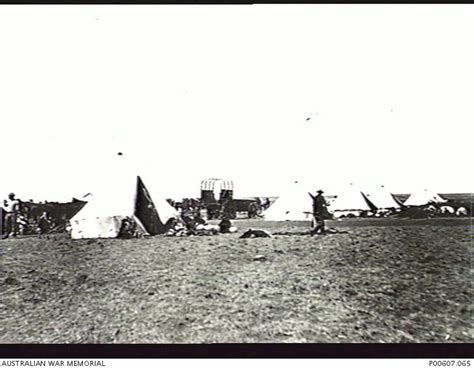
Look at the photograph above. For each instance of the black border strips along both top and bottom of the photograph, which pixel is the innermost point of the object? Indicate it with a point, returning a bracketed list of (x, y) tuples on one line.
[(196, 351)]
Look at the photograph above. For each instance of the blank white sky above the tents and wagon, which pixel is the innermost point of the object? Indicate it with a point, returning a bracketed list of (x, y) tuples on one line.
[(191, 92)]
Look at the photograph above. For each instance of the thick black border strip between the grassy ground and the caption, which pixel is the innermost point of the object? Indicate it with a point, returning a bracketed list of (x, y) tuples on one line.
[(198, 351)]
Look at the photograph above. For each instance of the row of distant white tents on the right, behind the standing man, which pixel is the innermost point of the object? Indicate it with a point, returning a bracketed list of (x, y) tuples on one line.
[(296, 203)]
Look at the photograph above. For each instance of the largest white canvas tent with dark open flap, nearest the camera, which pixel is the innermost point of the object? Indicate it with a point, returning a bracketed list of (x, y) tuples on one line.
[(122, 197)]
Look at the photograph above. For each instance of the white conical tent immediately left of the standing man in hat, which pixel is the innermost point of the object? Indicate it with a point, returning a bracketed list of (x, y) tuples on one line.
[(294, 204)]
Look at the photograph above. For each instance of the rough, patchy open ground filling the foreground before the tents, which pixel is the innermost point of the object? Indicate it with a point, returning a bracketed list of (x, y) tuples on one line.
[(380, 280)]
